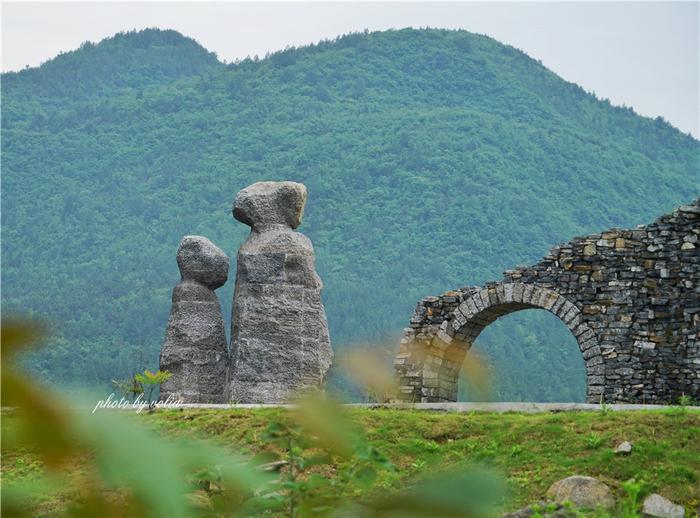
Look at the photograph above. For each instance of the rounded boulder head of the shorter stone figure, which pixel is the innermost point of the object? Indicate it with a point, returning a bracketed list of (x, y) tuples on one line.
[(202, 261)]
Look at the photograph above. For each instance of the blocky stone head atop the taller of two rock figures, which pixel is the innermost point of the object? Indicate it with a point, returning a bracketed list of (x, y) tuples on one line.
[(270, 203)]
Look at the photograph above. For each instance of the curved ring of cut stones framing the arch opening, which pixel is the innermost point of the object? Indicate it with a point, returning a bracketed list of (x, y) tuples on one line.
[(457, 334)]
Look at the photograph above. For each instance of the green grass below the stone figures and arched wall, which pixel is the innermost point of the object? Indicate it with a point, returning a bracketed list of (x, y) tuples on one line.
[(530, 450)]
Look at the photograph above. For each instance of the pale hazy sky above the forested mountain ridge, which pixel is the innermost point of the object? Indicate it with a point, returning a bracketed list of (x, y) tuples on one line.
[(644, 55)]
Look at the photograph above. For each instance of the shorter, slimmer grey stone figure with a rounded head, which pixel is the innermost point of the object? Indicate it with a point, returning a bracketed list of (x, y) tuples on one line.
[(195, 349)]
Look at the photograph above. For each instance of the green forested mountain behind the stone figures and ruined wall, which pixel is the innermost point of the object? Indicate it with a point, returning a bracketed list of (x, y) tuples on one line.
[(434, 159)]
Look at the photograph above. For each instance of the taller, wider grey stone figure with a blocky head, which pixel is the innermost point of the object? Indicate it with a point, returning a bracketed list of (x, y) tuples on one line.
[(279, 336)]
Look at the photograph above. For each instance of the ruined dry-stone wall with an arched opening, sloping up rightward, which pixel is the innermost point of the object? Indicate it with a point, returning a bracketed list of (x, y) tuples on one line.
[(631, 298)]
